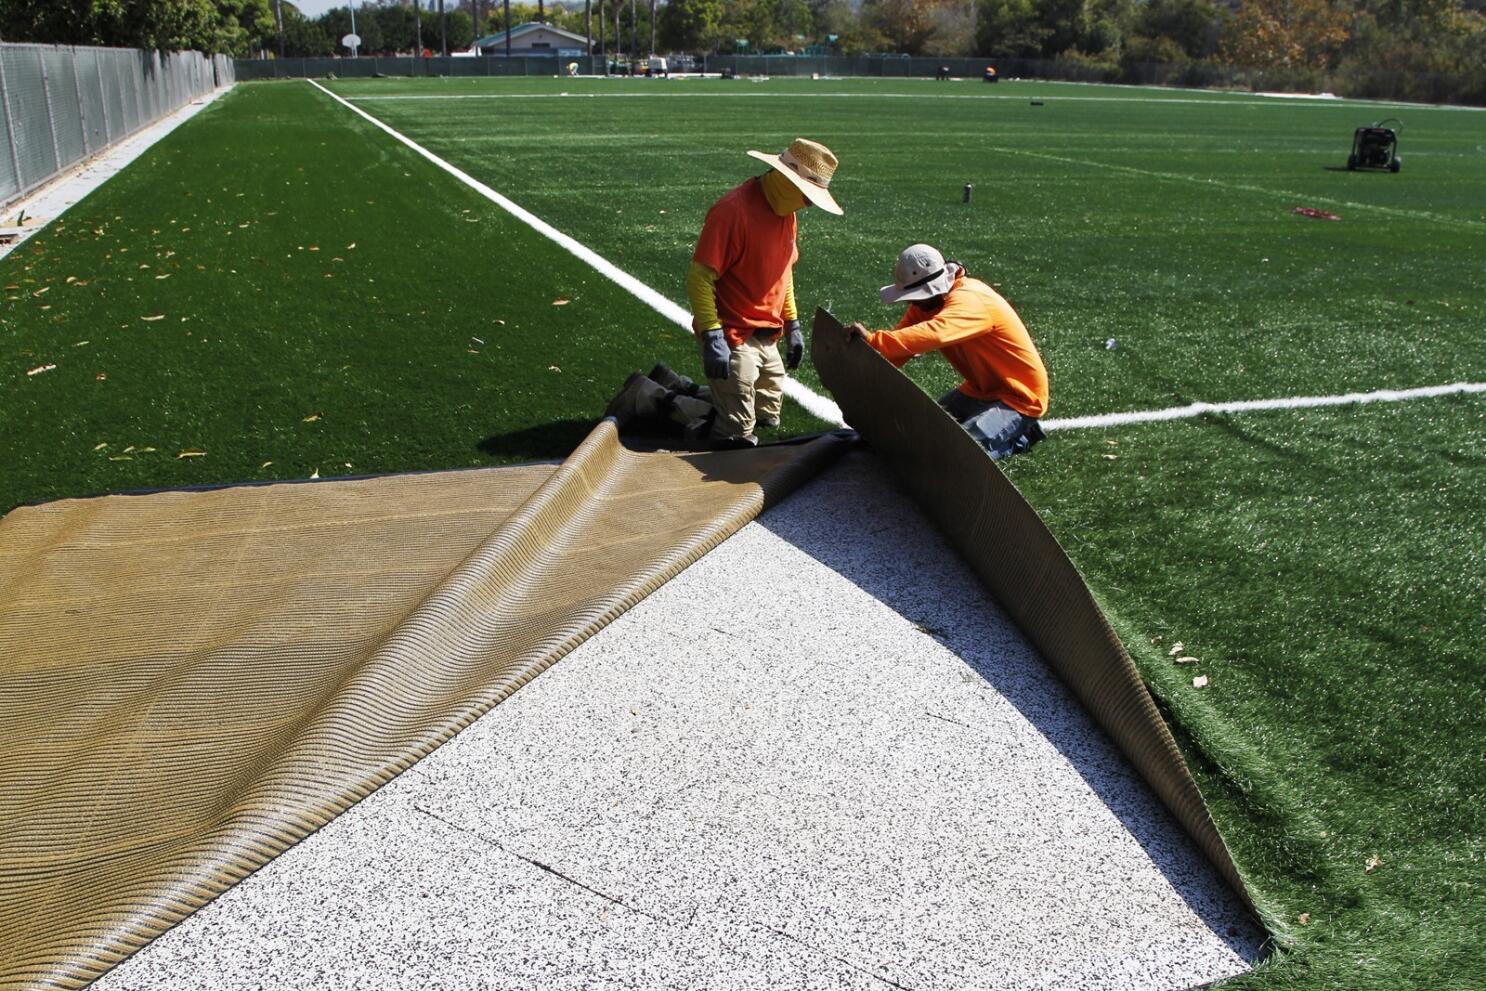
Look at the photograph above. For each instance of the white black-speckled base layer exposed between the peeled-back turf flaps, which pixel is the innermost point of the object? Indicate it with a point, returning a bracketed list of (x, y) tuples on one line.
[(820, 758)]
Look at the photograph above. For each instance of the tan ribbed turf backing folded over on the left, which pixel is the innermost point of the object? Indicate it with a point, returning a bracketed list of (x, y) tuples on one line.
[(194, 681)]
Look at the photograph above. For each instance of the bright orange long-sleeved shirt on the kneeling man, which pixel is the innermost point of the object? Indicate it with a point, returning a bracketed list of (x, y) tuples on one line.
[(983, 338)]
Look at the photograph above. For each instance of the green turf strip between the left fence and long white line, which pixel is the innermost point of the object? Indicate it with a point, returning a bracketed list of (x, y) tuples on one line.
[(286, 290)]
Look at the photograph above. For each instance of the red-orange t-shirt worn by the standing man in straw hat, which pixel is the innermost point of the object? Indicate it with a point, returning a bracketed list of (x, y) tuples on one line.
[(753, 250)]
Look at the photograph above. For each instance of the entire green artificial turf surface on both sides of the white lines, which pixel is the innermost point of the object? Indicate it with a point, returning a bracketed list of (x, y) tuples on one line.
[(1323, 565)]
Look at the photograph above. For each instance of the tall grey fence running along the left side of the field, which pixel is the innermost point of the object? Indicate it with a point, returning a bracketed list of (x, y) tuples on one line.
[(63, 105)]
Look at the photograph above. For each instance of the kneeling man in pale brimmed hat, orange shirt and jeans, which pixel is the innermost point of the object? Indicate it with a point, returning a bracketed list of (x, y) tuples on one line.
[(1005, 389)]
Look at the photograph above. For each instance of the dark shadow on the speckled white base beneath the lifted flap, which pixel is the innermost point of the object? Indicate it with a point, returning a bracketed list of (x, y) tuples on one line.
[(870, 553)]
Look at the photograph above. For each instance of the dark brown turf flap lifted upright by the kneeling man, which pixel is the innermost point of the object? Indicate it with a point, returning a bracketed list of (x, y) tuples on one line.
[(1020, 562)]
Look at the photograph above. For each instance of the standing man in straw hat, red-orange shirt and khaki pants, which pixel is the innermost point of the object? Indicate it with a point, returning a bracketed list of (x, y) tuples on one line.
[(742, 289)]
